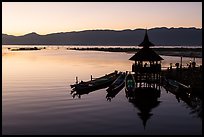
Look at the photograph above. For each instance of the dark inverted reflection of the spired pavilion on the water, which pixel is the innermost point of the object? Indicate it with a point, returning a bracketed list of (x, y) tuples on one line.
[(144, 99)]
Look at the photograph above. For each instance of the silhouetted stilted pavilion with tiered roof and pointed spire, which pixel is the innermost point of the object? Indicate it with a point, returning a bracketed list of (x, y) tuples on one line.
[(147, 66)]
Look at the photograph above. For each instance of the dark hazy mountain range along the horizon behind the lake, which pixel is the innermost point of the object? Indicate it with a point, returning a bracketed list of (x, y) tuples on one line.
[(158, 36)]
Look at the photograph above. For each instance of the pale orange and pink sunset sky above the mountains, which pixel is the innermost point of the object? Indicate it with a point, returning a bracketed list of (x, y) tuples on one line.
[(19, 18)]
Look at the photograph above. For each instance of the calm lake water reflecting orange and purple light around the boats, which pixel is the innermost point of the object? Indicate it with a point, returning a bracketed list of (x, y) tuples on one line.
[(36, 97)]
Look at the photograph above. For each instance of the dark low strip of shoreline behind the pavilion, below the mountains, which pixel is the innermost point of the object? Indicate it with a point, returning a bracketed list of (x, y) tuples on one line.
[(184, 52)]
